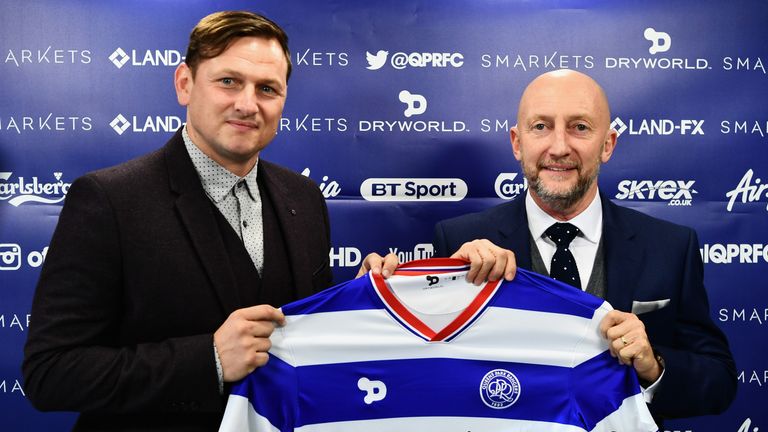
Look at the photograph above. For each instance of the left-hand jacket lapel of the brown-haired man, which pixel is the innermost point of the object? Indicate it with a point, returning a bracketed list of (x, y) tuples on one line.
[(197, 217)]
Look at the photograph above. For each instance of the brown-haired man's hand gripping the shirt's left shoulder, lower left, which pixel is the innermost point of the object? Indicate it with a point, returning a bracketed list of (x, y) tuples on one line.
[(243, 340)]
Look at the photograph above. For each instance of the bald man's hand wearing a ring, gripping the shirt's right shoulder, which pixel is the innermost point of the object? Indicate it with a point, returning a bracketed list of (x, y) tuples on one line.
[(629, 342)]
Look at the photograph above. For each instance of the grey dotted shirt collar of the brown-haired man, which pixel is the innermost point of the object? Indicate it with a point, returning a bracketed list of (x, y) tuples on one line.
[(217, 181)]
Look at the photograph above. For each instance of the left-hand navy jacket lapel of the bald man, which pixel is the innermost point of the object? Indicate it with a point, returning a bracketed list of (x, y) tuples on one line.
[(513, 232)]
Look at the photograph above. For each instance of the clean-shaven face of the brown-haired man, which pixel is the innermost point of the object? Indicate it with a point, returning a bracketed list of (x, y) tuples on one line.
[(235, 100)]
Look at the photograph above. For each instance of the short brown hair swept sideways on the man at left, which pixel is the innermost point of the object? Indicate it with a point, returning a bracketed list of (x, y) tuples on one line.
[(214, 33)]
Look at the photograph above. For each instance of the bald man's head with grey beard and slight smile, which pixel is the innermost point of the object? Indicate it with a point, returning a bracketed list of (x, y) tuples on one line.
[(562, 136)]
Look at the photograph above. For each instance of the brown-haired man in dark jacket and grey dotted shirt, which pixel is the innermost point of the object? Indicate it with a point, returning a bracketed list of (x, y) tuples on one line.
[(163, 274)]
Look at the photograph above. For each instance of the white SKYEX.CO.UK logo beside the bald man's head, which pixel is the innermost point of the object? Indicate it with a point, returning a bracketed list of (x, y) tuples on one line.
[(676, 192)]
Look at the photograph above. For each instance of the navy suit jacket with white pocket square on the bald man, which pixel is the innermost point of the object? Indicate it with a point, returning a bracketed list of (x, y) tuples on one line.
[(647, 261)]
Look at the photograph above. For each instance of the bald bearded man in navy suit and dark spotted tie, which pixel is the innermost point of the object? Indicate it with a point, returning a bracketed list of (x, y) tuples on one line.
[(649, 270)]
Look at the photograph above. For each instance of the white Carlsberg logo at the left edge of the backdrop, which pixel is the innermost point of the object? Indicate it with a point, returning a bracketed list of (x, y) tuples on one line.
[(23, 190)]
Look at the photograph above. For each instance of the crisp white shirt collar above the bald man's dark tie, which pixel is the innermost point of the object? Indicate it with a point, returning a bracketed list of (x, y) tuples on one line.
[(590, 221)]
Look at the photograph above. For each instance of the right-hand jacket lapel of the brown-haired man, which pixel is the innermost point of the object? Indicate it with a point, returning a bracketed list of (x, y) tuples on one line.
[(289, 214)]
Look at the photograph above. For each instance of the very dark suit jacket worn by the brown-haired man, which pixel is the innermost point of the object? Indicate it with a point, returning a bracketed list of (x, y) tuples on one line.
[(136, 281)]
